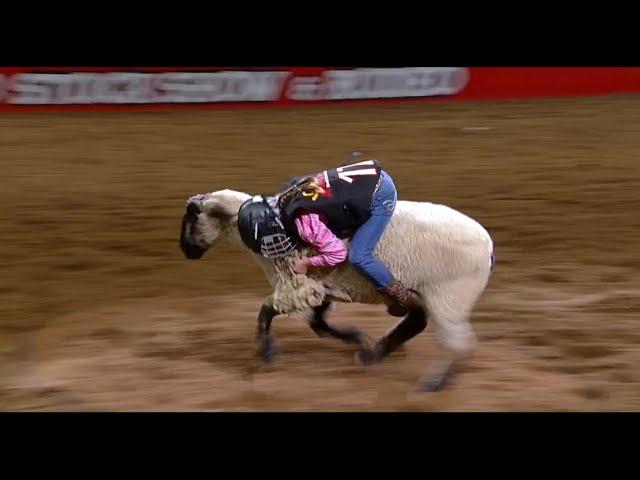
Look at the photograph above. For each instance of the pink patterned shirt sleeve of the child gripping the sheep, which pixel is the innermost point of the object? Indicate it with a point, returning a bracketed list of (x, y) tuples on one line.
[(314, 231)]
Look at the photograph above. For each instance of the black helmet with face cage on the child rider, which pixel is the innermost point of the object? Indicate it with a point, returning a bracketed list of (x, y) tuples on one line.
[(262, 231)]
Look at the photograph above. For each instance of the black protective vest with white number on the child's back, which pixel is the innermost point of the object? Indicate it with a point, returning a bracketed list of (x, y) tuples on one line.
[(346, 200)]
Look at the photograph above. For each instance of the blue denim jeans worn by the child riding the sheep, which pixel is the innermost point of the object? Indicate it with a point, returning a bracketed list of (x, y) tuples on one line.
[(367, 236)]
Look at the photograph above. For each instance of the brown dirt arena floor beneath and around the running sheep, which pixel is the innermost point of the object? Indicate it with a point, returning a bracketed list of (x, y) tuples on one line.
[(100, 310)]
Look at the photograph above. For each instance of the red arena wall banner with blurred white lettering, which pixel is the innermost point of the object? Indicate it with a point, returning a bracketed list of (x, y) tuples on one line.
[(150, 88)]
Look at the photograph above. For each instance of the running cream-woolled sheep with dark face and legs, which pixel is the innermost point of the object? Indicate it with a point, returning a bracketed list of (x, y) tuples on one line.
[(442, 254)]
